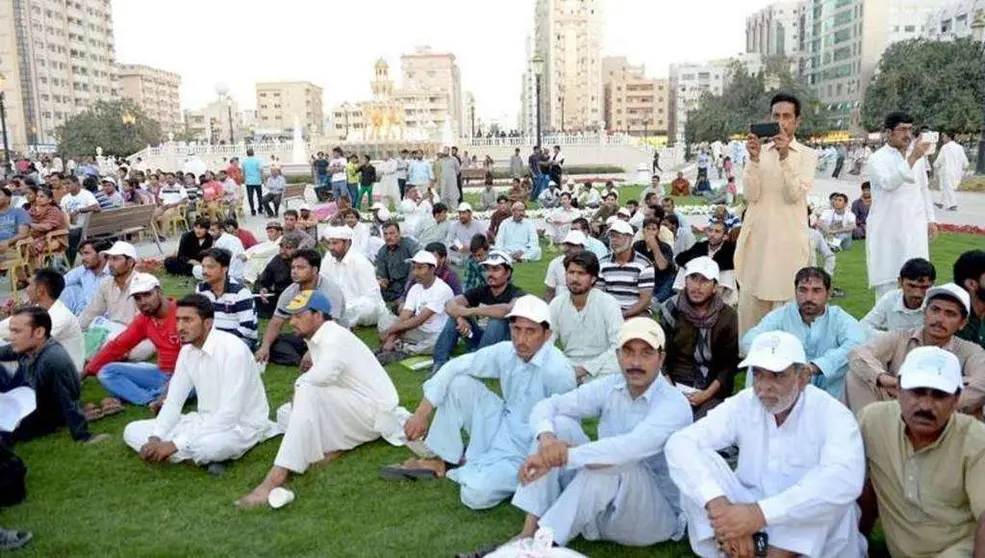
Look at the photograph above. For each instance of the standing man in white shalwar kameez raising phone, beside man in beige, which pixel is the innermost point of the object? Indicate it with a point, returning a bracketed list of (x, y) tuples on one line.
[(902, 215)]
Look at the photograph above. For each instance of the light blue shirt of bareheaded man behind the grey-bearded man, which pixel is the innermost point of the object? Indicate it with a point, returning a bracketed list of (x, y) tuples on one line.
[(827, 342)]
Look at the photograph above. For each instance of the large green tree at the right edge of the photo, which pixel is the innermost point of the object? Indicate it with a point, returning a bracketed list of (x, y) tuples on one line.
[(938, 83)]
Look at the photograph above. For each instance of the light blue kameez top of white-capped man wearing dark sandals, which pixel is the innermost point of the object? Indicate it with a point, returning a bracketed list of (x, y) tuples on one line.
[(522, 385)]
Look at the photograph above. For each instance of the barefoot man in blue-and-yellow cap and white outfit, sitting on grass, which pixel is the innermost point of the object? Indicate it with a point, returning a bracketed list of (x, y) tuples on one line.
[(340, 403)]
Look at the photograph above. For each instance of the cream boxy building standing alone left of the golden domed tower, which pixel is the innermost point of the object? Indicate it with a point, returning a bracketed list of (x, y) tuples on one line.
[(280, 104)]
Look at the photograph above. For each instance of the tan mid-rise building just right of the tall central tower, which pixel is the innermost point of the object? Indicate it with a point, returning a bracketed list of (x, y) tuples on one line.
[(633, 102)]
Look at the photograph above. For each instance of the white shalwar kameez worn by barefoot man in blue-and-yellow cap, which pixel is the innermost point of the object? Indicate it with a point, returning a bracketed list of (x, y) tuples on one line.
[(344, 400)]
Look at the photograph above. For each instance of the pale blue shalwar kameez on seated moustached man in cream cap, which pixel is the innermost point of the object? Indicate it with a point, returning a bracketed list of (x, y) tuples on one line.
[(630, 498)]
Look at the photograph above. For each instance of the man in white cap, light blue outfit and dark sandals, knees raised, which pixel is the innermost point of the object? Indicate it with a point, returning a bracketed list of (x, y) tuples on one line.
[(529, 369)]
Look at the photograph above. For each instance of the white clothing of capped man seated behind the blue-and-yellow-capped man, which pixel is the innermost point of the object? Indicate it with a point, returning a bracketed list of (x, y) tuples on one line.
[(357, 278)]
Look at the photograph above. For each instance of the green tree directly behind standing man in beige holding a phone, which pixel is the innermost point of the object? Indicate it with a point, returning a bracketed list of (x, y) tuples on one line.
[(746, 99)]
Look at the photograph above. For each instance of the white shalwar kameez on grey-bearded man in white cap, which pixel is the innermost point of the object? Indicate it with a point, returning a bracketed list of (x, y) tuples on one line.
[(805, 474)]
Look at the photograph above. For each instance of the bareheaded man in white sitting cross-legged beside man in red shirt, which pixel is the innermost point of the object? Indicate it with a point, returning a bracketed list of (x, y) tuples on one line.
[(232, 414)]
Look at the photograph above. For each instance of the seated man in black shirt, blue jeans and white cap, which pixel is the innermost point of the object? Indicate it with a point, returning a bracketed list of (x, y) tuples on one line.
[(480, 314)]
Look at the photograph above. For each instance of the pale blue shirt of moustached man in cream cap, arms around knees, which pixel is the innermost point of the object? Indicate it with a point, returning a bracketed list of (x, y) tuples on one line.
[(630, 430)]
